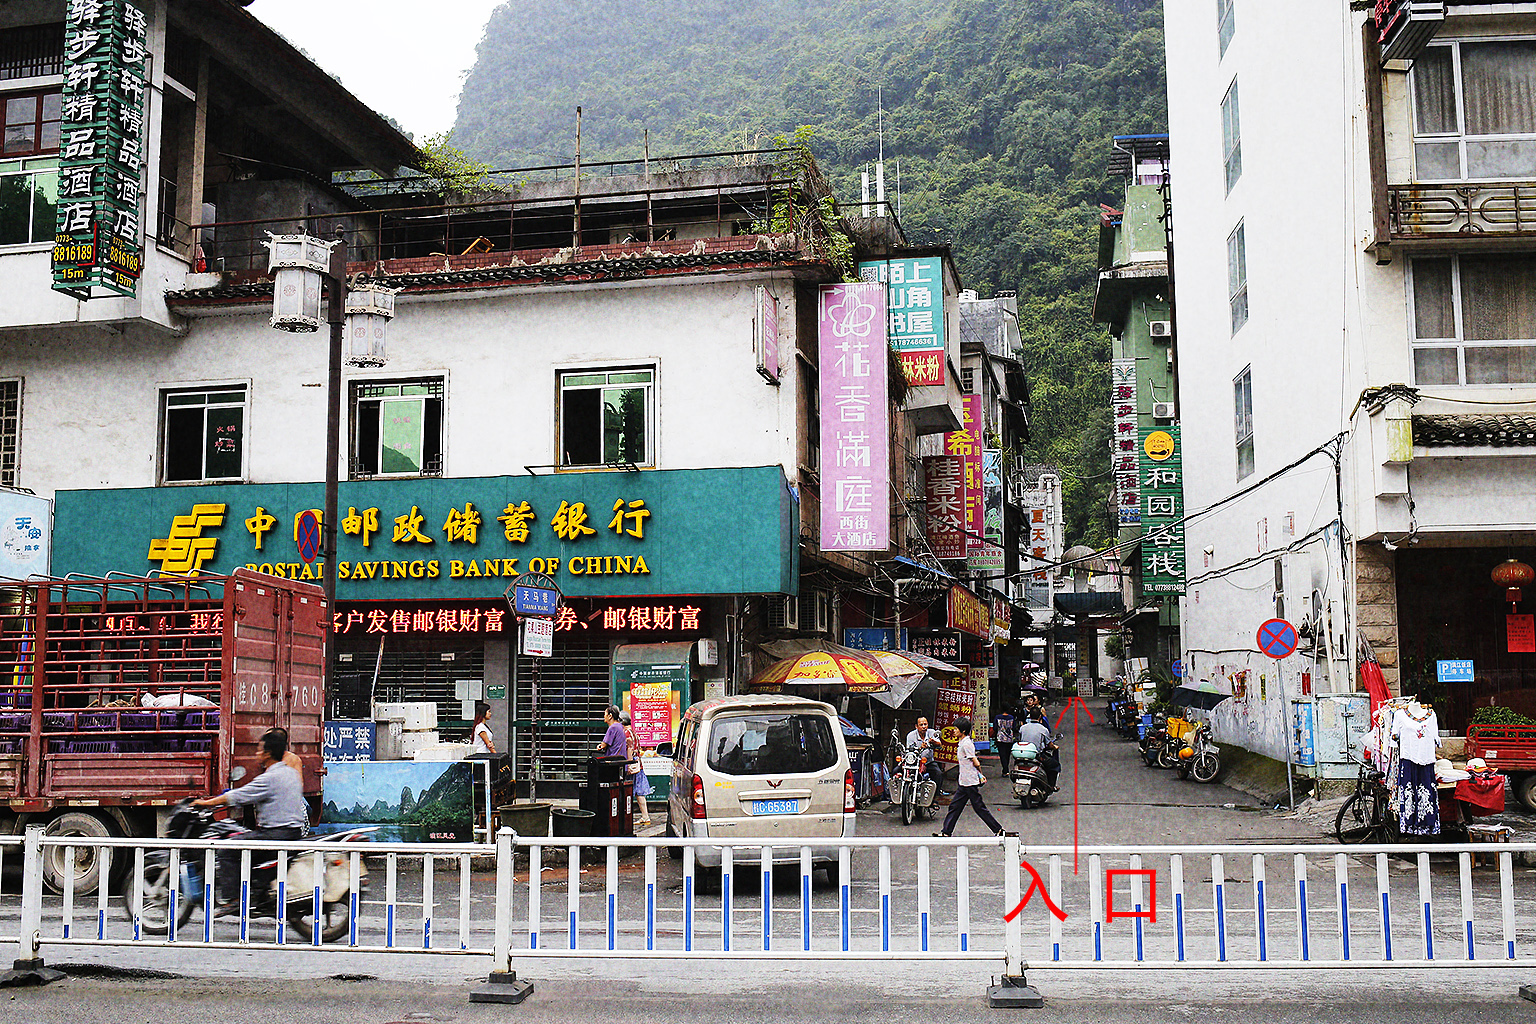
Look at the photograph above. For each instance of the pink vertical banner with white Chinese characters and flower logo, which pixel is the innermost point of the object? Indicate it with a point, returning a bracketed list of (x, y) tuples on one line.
[(856, 418)]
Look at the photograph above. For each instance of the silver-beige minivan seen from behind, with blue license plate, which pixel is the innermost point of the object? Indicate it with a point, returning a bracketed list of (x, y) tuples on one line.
[(763, 768)]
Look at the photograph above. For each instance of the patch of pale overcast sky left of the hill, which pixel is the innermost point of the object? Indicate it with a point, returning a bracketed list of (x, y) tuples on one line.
[(402, 58)]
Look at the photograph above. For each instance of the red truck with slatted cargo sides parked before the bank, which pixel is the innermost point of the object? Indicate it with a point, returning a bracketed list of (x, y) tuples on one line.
[(121, 698)]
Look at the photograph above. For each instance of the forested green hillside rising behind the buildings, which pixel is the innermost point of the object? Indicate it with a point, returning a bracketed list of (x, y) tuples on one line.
[(999, 111)]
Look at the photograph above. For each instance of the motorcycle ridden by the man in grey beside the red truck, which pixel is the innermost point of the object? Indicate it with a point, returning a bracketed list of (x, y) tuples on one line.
[(153, 910)]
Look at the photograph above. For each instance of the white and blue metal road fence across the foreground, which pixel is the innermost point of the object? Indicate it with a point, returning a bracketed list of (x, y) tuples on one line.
[(1213, 908)]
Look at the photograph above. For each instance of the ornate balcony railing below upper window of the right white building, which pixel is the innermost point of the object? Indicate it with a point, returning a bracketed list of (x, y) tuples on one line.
[(1455, 213)]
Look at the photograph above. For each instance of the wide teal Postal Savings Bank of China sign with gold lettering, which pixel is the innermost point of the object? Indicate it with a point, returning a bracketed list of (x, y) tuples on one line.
[(598, 535)]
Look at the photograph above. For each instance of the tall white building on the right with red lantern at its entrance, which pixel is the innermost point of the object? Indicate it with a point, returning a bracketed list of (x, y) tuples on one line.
[(1357, 372)]
